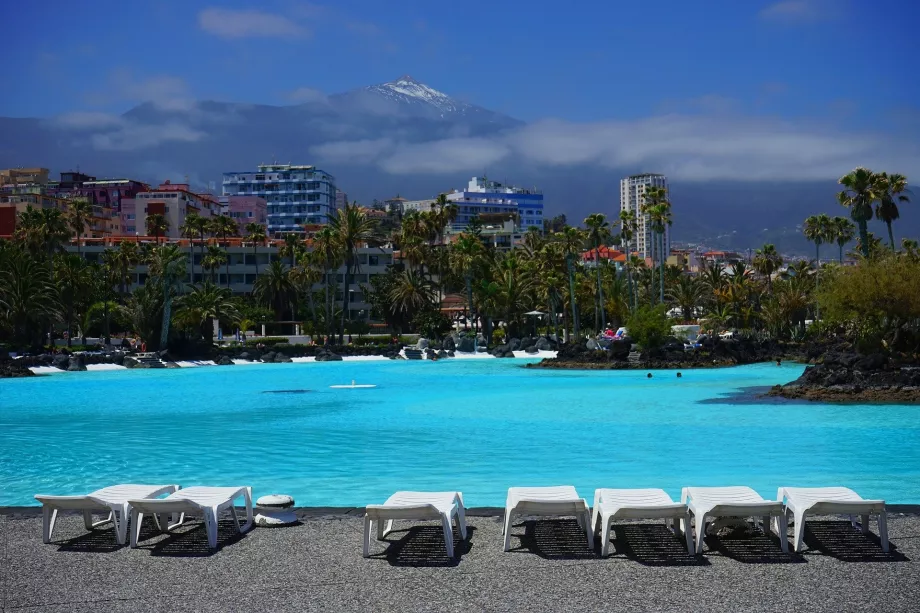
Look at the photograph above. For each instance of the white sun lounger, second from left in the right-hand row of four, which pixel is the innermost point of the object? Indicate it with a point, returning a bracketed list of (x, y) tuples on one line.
[(637, 504)]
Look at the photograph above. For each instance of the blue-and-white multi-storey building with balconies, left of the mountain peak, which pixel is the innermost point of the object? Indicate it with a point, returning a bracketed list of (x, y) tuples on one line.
[(295, 195)]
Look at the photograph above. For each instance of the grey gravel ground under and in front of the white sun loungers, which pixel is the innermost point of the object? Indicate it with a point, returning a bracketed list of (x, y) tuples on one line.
[(317, 566)]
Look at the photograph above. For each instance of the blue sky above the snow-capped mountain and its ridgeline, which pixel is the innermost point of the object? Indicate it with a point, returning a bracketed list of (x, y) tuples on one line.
[(821, 60)]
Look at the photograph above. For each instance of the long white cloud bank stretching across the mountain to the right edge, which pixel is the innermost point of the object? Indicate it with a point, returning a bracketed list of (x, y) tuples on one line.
[(688, 148)]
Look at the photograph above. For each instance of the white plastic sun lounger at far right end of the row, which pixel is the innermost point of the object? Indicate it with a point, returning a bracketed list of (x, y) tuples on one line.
[(802, 501)]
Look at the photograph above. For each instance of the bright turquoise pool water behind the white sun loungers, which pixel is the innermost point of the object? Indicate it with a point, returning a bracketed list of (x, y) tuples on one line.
[(478, 426)]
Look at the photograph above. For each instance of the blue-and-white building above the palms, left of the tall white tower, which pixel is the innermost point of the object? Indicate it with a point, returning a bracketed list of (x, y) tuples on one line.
[(483, 196)]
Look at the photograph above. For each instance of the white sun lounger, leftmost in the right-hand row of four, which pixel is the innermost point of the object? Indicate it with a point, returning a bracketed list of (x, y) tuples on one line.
[(556, 501)]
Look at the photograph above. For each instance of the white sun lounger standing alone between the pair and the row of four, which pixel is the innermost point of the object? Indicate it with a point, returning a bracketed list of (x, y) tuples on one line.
[(444, 506)]
